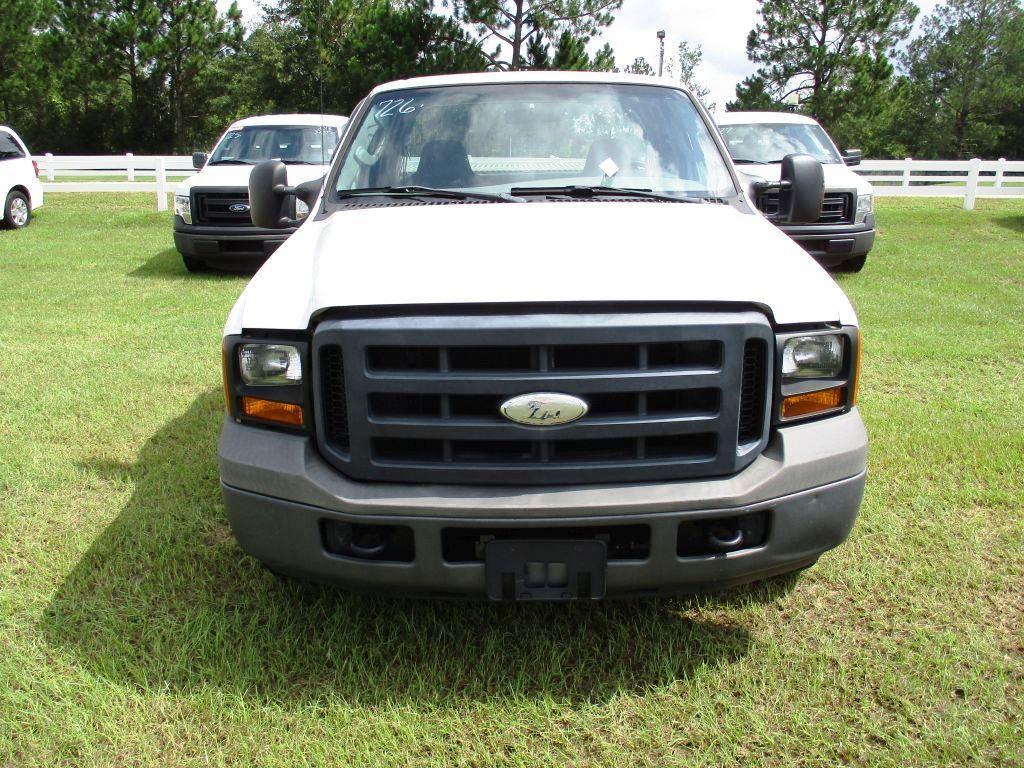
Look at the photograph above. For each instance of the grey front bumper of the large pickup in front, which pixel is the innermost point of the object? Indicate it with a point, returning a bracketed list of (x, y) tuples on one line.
[(279, 493)]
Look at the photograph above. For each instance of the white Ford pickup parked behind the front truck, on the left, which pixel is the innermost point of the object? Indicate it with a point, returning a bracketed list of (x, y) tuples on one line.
[(212, 226)]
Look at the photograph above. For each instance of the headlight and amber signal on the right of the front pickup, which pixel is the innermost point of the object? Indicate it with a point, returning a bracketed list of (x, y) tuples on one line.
[(819, 373)]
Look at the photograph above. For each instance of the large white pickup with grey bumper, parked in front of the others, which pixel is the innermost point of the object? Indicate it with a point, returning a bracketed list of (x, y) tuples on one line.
[(534, 342)]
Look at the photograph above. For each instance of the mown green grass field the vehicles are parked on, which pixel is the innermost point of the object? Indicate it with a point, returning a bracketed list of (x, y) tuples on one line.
[(135, 632)]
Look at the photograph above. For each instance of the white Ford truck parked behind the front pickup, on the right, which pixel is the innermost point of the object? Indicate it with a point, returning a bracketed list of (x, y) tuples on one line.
[(759, 141)]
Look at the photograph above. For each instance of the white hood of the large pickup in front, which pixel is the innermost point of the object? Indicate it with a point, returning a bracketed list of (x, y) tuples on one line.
[(551, 252)]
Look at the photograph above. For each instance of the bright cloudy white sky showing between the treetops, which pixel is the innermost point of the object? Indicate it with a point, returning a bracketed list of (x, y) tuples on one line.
[(720, 27)]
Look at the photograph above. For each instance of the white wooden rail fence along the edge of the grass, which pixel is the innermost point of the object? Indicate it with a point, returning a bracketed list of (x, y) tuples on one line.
[(932, 179)]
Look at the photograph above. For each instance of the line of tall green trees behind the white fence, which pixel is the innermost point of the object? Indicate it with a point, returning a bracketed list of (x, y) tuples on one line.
[(167, 76)]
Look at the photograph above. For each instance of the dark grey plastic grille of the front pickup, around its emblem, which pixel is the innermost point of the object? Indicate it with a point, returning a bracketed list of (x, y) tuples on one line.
[(671, 396)]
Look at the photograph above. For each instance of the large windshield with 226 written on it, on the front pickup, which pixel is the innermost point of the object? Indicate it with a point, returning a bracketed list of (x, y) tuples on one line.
[(494, 139)]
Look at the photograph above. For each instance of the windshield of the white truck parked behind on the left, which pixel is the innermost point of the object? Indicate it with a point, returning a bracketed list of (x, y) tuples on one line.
[(296, 145)]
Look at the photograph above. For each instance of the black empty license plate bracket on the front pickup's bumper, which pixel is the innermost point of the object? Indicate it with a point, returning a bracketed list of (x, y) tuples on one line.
[(541, 570)]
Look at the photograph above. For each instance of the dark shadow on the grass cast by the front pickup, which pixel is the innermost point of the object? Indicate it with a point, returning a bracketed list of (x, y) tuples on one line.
[(165, 600)]
